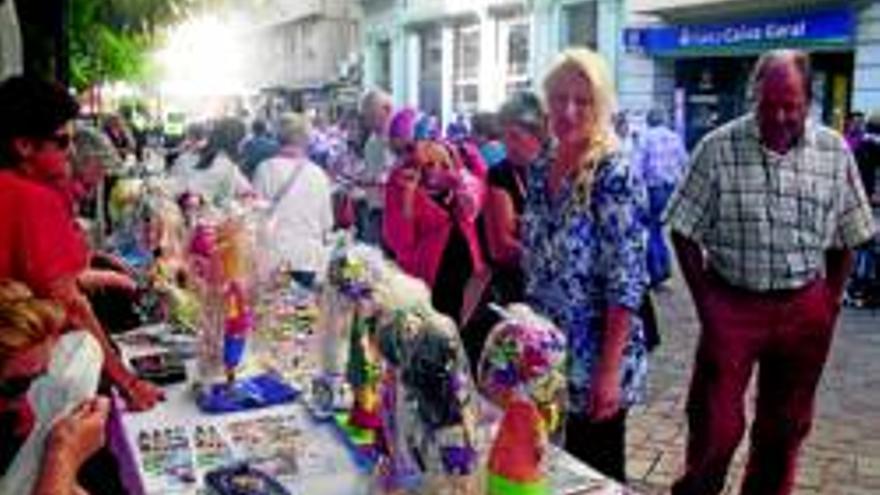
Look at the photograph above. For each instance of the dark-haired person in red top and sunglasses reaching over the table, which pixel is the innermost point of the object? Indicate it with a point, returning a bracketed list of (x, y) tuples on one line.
[(40, 243)]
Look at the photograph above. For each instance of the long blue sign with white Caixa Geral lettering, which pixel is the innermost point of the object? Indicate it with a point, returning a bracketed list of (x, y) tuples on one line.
[(827, 28)]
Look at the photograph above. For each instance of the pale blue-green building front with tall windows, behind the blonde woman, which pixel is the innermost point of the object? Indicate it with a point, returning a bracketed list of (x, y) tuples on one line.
[(462, 56)]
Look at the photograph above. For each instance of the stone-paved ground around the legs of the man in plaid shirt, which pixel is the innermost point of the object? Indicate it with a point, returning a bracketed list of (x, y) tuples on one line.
[(841, 455)]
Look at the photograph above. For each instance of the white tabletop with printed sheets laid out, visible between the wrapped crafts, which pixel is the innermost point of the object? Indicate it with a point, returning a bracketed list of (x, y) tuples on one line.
[(169, 449)]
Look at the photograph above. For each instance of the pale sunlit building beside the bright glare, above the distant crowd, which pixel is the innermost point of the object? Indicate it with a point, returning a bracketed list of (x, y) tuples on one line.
[(305, 50)]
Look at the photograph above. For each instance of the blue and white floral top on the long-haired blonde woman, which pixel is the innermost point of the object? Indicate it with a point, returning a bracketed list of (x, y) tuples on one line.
[(583, 257)]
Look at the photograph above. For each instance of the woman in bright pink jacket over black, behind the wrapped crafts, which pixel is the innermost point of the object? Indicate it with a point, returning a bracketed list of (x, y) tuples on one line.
[(433, 198)]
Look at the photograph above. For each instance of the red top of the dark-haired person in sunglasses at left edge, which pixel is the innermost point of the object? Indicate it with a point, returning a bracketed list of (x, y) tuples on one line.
[(39, 239)]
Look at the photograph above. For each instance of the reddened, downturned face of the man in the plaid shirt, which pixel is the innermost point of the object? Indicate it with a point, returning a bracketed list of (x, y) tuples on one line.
[(781, 107)]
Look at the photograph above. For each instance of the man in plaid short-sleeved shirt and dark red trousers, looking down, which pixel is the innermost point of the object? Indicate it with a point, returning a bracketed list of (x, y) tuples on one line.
[(764, 225)]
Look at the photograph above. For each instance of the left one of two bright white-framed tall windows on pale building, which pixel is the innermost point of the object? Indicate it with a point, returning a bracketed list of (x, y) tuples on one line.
[(465, 67)]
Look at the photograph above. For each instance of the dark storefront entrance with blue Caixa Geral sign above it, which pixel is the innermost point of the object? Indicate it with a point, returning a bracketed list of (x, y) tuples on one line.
[(713, 61)]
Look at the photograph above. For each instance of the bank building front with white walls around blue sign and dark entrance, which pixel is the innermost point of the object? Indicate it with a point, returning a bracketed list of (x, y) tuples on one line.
[(694, 57)]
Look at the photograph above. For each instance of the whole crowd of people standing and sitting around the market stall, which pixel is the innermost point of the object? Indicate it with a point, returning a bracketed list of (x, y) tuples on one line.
[(549, 201)]
